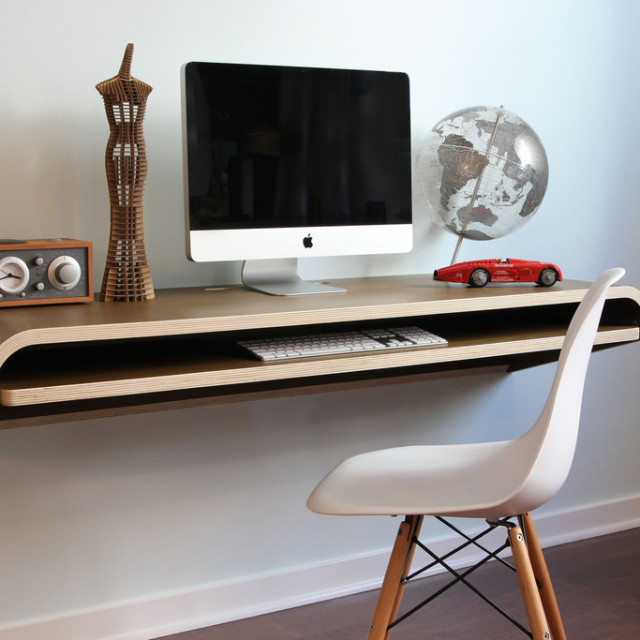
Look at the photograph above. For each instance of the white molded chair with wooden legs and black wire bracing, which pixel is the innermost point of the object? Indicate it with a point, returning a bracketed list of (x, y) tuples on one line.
[(492, 480)]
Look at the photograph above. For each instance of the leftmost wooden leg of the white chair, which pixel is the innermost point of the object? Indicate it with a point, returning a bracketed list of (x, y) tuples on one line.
[(393, 586)]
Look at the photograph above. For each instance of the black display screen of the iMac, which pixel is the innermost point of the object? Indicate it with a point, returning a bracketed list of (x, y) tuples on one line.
[(271, 146)]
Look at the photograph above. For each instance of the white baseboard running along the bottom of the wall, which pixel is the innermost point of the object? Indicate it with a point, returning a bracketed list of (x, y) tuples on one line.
[(234, 600)]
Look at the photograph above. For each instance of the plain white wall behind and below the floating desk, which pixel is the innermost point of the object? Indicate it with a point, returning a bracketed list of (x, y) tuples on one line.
[(103, 512)]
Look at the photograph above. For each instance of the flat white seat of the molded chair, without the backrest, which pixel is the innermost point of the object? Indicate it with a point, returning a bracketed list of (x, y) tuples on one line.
[(474, 480)]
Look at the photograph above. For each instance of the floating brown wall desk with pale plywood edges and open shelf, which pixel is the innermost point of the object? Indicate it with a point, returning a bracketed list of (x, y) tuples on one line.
[(82, 360)]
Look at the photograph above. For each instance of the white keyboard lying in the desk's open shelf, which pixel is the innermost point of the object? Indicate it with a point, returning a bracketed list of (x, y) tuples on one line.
[(330, 343)]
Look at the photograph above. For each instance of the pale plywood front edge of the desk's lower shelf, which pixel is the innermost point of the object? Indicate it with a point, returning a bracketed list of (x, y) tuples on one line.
[(228, 373)]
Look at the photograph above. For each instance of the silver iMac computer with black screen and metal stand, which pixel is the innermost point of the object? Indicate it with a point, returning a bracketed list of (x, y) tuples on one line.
[(289, 162)]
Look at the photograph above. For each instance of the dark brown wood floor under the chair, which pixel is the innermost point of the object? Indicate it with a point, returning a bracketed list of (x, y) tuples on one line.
[(597, 584)]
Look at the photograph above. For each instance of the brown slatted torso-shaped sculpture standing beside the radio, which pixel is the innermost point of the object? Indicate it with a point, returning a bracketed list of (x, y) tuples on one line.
[(127, 276)]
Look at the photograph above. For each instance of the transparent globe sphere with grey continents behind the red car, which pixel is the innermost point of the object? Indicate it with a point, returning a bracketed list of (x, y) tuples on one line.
[(481, 172)]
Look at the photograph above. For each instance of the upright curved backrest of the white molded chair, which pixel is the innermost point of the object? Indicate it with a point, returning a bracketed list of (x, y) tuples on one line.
[(553, 437)]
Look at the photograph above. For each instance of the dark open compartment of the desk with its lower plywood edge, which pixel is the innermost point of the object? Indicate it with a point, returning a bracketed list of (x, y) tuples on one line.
[(99, 369)]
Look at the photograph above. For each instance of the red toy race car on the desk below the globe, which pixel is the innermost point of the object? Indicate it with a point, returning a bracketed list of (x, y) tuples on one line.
[(477, 273)]
